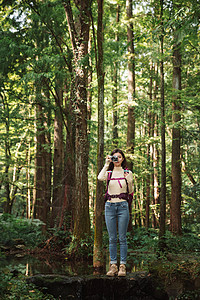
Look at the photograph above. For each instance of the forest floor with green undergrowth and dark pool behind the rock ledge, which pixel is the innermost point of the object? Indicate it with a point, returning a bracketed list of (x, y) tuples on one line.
[(23, 249)]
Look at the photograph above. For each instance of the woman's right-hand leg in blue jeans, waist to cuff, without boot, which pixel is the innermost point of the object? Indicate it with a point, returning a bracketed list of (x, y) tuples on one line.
[(123, 219)]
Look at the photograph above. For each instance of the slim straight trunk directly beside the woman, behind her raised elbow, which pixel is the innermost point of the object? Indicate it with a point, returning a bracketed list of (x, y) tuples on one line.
[(99, 203)]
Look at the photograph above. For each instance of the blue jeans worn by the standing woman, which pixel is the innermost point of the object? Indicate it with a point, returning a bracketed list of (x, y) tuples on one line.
[(114, 212)]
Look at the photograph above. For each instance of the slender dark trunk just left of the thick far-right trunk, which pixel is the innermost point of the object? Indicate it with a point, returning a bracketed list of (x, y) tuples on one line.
[(163, 147)]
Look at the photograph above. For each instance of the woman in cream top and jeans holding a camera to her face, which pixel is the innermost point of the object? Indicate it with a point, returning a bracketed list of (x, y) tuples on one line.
[(119, 184)]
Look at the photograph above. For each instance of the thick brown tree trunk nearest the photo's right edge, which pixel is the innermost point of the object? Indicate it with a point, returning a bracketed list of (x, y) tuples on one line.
[(176, 142)]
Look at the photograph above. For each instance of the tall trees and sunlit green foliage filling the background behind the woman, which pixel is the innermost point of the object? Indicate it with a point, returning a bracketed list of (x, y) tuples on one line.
[(80, 78)]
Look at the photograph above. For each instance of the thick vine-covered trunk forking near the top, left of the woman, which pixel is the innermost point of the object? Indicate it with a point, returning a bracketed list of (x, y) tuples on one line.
[(79, 35)]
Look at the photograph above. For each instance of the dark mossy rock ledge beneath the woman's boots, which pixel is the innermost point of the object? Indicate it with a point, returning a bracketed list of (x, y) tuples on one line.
[(137, 286)]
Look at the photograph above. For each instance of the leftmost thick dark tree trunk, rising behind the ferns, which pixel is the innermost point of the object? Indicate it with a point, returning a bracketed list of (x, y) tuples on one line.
[(42, 183)]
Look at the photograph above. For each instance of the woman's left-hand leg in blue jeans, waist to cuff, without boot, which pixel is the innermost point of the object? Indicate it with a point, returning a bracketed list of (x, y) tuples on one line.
[(111, 218)]
